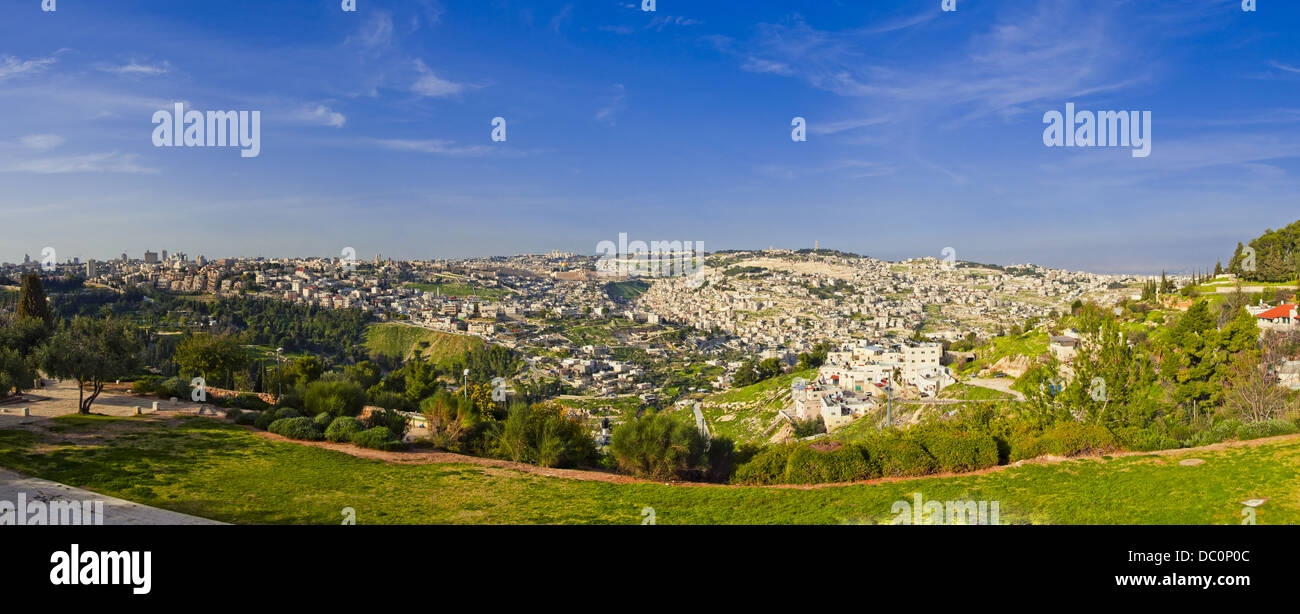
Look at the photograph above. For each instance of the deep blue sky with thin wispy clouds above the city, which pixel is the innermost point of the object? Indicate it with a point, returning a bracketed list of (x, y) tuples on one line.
[(925, 128)]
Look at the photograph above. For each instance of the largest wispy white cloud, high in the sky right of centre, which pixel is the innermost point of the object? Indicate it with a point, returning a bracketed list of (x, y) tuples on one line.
[(1019, 62)]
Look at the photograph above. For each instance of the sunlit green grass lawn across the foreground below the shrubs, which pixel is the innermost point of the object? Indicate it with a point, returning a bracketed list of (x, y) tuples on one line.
[(213, 469)]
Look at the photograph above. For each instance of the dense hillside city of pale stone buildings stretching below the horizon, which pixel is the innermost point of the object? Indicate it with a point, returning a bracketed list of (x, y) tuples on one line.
[(768, 304)]
